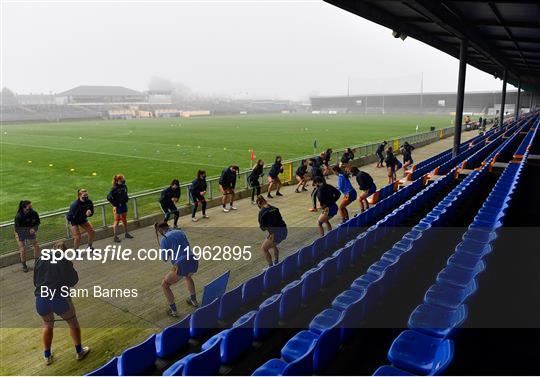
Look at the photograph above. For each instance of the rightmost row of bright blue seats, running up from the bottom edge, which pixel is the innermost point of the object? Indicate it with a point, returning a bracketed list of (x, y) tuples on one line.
[(426, 348)]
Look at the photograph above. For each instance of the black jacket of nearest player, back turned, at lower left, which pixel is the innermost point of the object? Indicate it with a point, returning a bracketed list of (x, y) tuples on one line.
[(54, 275)]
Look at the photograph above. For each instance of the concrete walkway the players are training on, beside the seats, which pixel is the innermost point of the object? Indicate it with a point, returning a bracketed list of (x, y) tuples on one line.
[(112, 324)]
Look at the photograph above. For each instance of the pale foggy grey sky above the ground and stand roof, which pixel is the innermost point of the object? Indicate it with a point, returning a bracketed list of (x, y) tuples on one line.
[(279, 49)]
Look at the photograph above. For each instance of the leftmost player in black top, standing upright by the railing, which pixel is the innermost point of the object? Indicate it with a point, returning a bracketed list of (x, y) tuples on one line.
[(26, 225)]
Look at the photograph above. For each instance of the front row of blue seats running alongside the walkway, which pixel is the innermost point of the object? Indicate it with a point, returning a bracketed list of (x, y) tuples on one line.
[(174, 338)]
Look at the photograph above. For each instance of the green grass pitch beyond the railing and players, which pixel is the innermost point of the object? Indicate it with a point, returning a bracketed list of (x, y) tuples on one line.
[(47, 162)]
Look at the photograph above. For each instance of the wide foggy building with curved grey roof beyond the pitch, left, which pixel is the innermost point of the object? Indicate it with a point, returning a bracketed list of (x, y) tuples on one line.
[(100, 95)]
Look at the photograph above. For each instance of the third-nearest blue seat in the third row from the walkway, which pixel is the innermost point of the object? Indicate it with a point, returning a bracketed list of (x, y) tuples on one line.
[(352, 303)]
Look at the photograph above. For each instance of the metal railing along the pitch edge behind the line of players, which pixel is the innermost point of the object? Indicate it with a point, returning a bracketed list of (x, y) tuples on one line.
[(54, 225)]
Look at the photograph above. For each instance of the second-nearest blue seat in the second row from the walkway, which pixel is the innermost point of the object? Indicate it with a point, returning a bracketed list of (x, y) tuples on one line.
[(234, 341)]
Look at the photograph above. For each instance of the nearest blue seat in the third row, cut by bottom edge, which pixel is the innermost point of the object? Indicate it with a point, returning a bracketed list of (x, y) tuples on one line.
[(301, 366)]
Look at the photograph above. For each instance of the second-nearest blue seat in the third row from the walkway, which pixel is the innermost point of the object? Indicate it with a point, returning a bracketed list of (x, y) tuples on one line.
[(326, 327)]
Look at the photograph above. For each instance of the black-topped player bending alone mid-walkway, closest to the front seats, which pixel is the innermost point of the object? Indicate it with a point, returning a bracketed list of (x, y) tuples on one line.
[(270, 220)]
